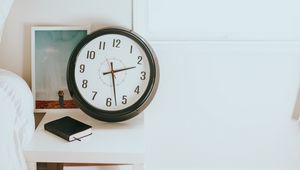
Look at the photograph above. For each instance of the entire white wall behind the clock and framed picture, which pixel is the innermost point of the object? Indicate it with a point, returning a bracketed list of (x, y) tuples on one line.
[(223, 103)]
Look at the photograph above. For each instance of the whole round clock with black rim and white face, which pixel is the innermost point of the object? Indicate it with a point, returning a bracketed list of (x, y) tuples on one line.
[(113, 74)]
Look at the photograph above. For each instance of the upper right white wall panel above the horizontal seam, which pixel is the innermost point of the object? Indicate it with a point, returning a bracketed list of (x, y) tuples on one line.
[(218, 19)]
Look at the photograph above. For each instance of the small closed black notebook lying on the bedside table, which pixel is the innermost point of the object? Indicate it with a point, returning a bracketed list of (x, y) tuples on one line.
[(68, 128)]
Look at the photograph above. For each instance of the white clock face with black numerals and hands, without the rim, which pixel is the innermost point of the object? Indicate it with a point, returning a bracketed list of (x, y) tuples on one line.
[(112, 72)]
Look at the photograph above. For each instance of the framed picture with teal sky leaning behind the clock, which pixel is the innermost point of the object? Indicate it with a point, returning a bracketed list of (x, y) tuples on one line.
[(51, 49)]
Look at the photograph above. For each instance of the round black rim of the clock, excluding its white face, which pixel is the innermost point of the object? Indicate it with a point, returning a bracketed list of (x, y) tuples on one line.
[(131, 111)]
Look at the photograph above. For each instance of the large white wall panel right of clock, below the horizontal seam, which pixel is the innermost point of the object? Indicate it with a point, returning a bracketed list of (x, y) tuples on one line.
[(224, 105)]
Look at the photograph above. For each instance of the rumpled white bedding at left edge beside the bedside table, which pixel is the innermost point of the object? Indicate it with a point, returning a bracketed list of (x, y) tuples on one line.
[(16, 121)]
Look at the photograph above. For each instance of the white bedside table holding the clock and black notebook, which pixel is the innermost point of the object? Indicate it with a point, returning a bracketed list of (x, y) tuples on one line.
[(110, 143)]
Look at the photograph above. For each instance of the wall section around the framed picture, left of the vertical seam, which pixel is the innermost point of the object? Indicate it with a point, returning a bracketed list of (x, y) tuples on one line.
[(15, 54)]
